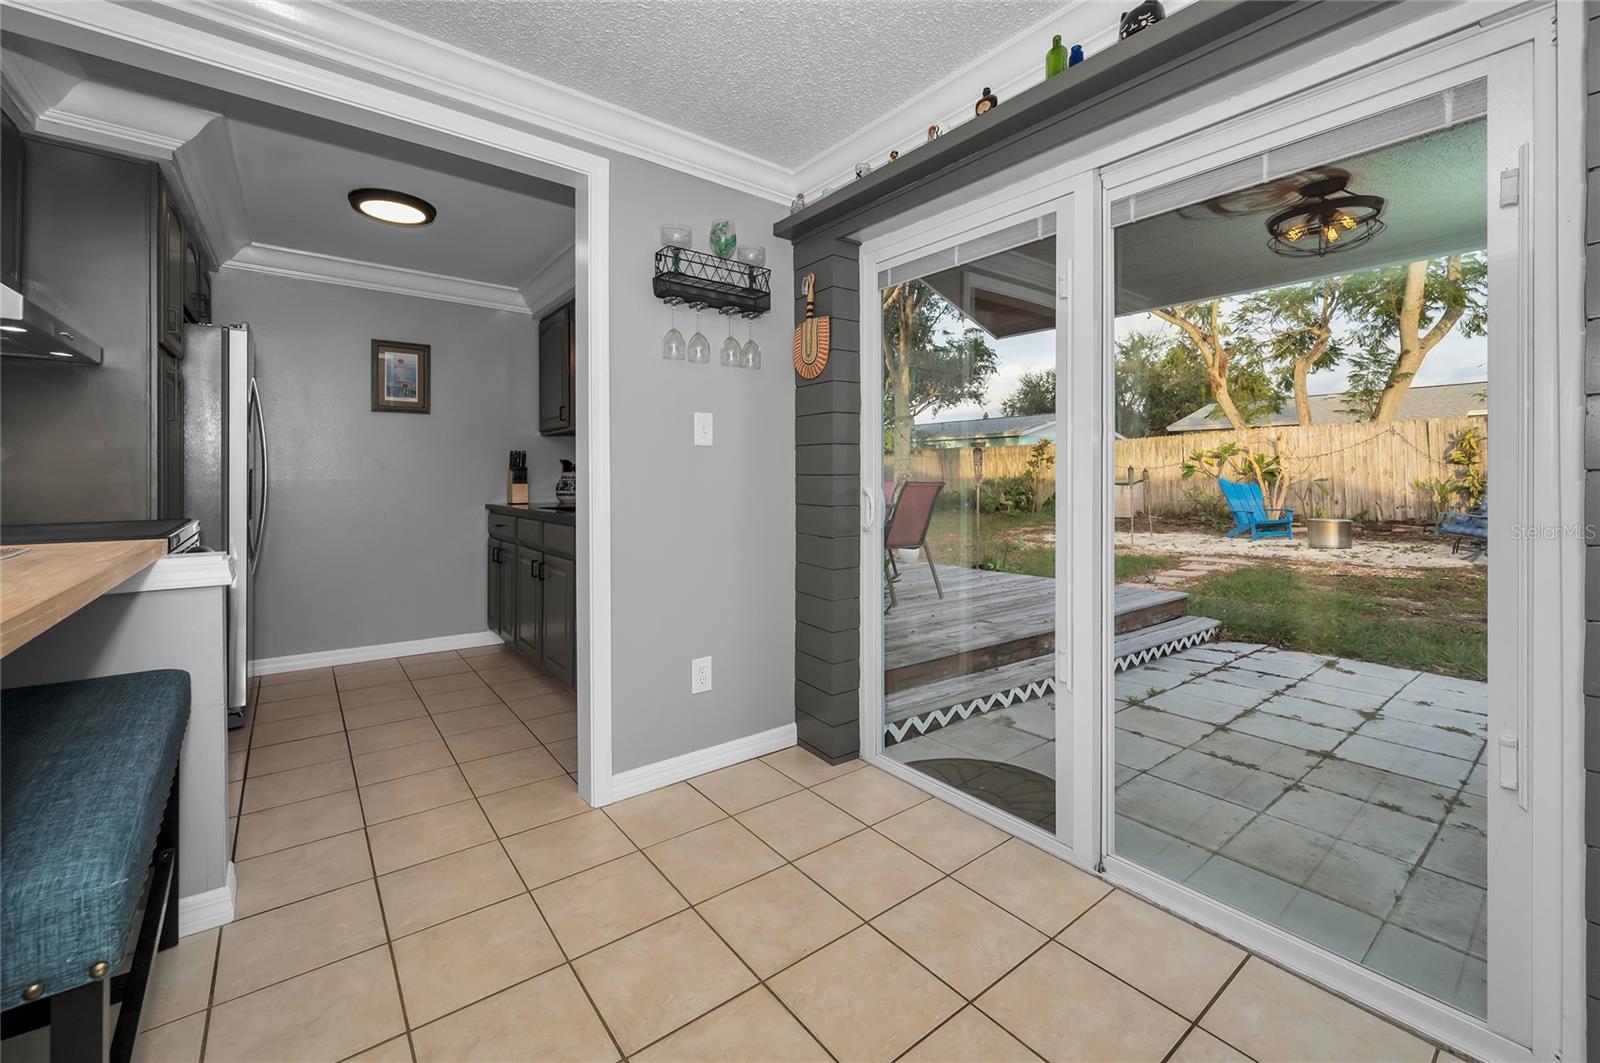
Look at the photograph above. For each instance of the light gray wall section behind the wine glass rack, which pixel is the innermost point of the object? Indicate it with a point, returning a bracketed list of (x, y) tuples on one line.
[(703, 539)]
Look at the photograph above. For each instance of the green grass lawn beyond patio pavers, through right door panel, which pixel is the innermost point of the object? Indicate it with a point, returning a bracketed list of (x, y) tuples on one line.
[(1434, 620)]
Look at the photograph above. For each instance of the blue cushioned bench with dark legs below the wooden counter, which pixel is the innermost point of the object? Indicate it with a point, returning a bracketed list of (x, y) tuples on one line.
[(89, 790)]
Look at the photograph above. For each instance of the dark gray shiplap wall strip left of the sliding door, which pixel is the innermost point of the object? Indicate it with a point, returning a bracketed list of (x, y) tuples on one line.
[(828, 510)]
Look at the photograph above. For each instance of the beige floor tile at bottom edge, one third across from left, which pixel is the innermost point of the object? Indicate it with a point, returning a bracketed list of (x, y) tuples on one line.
[(542, 1019)]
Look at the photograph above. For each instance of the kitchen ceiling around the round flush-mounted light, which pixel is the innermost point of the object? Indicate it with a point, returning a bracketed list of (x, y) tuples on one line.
[(297, 198)]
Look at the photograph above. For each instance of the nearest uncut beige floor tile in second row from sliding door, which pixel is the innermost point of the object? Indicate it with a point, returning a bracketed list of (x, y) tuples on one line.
[(959, 936)]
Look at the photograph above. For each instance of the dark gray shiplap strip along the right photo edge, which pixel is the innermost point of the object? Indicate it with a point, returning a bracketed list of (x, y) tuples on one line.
[(1593, 518)]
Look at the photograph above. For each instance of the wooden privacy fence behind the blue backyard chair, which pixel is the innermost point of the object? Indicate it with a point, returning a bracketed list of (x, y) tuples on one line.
[(1367, 468)]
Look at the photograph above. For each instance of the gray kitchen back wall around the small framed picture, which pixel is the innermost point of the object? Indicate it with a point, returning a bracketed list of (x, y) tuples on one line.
[(377, 521)]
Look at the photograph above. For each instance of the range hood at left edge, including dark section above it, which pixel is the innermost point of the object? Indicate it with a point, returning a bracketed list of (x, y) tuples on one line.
[(26, 329)]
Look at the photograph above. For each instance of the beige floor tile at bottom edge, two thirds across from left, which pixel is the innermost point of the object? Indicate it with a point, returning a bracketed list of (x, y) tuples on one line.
[(1065, 1008)]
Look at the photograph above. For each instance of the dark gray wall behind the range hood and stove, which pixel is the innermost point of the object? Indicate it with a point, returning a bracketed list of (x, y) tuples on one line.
[(76, 439)]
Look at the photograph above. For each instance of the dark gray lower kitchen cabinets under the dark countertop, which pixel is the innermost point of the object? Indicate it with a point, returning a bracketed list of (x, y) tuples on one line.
[(534, 590)]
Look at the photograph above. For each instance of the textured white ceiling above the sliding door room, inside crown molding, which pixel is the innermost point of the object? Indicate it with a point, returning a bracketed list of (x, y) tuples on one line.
[(778, 79)]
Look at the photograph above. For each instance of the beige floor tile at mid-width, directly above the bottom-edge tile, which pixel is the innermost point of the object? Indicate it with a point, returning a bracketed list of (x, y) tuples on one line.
[(778, 920)]
